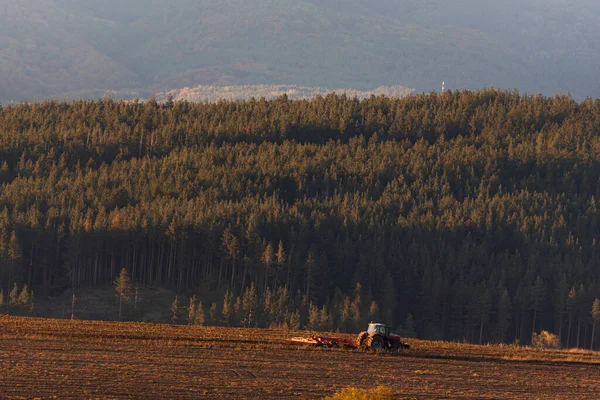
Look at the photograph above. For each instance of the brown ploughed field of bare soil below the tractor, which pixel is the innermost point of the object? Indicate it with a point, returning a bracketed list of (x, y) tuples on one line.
[(64, 359)]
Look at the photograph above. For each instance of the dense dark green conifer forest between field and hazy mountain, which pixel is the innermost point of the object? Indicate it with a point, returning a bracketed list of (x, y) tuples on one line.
[(466, 215)]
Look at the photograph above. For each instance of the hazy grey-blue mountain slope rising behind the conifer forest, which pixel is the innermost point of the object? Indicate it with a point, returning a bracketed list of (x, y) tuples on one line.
[(134, 48)]
